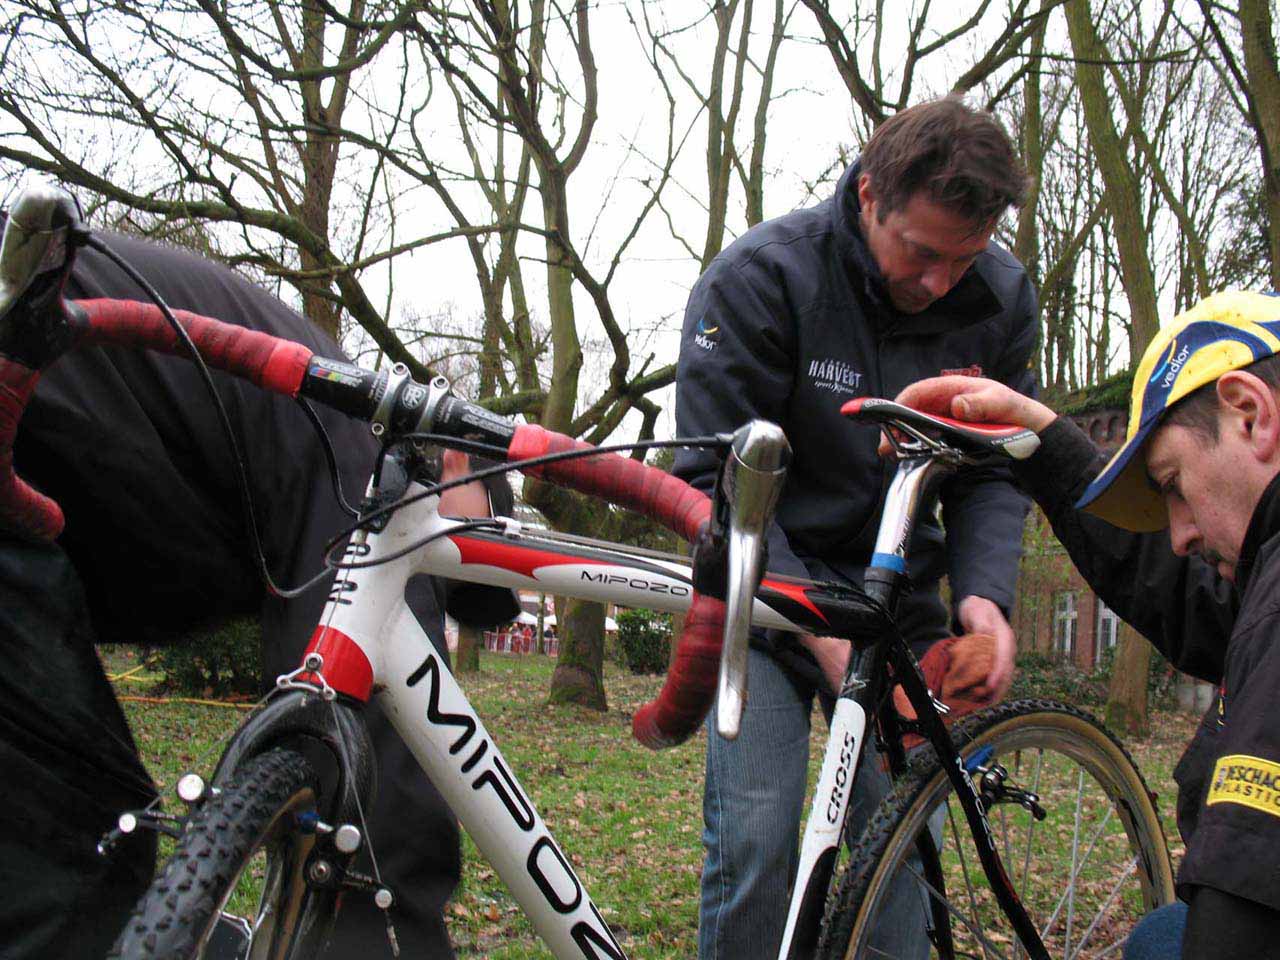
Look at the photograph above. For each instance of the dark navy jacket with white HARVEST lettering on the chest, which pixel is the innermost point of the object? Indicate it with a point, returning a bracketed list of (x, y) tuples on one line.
[(793, 321)]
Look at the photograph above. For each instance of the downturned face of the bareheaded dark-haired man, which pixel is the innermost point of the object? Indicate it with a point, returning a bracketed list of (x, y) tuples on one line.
[(922, 250)]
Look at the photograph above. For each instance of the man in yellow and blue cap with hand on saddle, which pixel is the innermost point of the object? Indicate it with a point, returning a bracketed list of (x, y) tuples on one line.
[(1188, 511)]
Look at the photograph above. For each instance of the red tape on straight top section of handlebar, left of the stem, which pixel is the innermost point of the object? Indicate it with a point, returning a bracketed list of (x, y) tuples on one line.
[(259, 358)]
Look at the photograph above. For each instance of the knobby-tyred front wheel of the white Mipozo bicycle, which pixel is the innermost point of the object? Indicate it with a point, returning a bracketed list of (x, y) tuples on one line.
[(239, 874)]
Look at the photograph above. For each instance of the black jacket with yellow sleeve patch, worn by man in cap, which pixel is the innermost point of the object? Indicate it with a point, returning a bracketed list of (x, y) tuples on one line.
[(1229, 778)]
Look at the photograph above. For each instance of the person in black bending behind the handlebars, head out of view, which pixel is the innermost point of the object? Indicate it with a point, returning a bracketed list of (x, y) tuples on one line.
[(154, 547)]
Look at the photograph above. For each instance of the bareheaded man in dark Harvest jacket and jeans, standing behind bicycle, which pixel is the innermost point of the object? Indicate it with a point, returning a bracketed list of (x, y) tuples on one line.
[(893, 280)]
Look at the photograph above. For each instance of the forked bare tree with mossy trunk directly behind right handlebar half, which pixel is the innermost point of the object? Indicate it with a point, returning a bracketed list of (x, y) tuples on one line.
[(497, 60)]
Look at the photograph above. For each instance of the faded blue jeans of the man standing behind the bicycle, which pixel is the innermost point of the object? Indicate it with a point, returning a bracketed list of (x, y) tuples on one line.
[(752, 811)]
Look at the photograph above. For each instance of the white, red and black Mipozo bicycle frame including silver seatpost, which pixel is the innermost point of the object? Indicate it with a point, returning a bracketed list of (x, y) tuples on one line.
[(369, 644)]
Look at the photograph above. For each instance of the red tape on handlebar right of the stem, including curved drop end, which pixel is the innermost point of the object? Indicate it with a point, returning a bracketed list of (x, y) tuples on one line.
[(691, 687)]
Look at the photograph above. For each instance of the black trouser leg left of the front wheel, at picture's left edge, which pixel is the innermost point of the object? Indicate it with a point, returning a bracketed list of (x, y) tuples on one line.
[(70, 767)]
